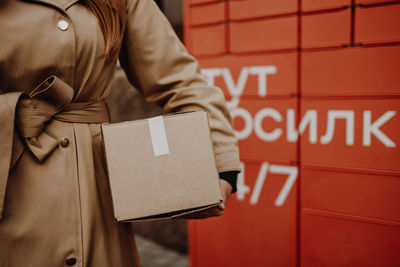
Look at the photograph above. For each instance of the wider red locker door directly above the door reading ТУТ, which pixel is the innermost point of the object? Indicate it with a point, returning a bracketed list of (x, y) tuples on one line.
[(262, 35)]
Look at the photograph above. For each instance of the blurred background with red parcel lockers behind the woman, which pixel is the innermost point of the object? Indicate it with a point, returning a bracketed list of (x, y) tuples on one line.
[(314, 90)]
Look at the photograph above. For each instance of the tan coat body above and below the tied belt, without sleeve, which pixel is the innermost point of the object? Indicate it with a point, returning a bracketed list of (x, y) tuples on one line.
[(58, 212)]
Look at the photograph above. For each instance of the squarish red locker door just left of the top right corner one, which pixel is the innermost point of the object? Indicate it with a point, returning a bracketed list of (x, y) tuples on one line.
[(327, 29)]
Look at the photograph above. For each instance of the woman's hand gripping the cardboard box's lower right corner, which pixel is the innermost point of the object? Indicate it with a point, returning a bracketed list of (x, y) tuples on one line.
[(214, 211)]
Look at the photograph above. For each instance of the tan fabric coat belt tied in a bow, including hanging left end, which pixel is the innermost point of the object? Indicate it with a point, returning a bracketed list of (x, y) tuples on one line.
[(51, 100)]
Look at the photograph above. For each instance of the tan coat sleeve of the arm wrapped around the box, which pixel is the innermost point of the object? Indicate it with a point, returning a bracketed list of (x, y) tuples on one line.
[(158, 65)]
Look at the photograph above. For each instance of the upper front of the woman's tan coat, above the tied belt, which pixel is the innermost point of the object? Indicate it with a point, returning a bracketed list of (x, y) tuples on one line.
[(59, 37)]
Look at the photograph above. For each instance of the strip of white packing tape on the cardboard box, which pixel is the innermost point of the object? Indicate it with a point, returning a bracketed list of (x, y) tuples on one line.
[(158, 136)]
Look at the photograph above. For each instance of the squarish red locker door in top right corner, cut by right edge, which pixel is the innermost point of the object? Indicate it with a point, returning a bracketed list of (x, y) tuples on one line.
[(377, 24)]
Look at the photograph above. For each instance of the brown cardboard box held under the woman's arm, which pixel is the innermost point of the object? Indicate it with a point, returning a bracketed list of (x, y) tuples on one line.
[(161, 167)]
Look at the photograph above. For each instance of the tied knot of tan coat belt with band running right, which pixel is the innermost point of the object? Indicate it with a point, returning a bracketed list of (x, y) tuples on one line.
[(52, 100)]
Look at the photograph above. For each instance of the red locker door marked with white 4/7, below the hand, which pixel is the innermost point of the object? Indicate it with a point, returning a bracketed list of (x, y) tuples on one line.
[(256, 235)]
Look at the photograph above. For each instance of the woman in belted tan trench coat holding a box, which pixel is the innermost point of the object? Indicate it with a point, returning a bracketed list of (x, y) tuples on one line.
[(57, 62)]
